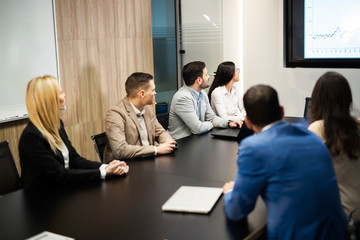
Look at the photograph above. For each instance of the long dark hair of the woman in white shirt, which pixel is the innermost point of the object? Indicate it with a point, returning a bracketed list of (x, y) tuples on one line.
[(224, 74)]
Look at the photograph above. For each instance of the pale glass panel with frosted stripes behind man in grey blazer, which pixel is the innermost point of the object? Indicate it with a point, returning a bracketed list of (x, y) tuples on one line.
[(201, 33)]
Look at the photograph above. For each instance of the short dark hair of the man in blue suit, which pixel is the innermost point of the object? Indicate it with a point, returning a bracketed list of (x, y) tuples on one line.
[(262, 105)]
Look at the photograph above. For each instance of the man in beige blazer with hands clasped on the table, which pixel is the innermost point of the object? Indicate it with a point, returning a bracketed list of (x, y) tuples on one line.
[(132, 127)]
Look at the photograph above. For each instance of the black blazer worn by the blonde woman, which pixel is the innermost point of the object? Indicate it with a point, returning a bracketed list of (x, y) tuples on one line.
[(40, 166)]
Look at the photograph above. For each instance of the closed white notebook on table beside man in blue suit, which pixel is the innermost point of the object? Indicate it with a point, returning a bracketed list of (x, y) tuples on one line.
[(193, 199)]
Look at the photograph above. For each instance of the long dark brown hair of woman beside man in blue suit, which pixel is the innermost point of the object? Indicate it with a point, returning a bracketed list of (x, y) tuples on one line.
[(331, 101)]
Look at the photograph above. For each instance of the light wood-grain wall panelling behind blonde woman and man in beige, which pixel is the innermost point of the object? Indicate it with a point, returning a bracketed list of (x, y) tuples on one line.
[(100, 43)]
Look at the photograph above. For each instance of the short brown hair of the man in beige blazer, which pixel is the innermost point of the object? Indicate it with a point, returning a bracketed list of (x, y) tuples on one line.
[(136, 82)]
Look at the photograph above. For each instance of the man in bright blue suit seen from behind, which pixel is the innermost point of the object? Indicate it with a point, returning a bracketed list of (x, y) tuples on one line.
[(291, 169)]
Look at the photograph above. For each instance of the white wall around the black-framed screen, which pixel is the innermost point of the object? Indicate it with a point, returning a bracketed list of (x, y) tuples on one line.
[(263, 55)]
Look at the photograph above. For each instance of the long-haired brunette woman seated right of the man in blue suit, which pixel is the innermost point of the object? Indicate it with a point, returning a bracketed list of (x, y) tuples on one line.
[(331, 120)]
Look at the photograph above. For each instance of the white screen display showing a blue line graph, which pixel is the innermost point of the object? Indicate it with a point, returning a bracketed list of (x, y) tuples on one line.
[(332, 29)]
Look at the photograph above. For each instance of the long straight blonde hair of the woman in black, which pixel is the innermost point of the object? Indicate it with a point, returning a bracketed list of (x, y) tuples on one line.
[(43, 105)]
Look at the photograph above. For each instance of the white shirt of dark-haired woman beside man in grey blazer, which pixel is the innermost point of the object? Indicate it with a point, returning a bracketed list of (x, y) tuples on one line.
[(227, 105)]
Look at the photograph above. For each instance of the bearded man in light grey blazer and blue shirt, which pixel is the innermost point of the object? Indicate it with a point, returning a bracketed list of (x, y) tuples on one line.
[(190, 111)]
